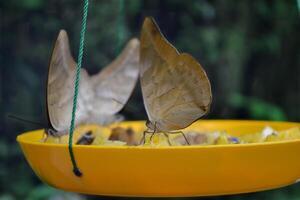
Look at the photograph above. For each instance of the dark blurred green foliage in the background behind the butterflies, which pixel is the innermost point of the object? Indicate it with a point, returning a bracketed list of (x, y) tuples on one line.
[(250, 50)]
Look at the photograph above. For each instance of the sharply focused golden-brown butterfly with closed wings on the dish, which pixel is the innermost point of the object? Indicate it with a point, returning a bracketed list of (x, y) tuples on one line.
[(175, 88)]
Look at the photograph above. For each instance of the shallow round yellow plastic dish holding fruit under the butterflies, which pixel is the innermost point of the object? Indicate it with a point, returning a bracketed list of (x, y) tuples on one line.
[(170, 171)]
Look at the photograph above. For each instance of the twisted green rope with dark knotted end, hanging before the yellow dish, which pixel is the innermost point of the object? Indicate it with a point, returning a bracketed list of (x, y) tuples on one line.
[(81, 46)]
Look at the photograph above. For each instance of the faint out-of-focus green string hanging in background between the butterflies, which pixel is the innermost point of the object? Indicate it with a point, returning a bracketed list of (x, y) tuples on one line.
[(120, 27)]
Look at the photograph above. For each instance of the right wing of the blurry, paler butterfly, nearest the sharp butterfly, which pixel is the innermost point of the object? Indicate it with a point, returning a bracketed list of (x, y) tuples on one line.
[(115, 83)]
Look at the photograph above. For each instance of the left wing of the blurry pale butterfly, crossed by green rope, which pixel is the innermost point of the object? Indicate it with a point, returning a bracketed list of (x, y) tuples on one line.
[(60, 86)]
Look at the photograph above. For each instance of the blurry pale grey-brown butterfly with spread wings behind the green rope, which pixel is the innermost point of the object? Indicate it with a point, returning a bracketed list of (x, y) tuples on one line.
[(100, 96)]
